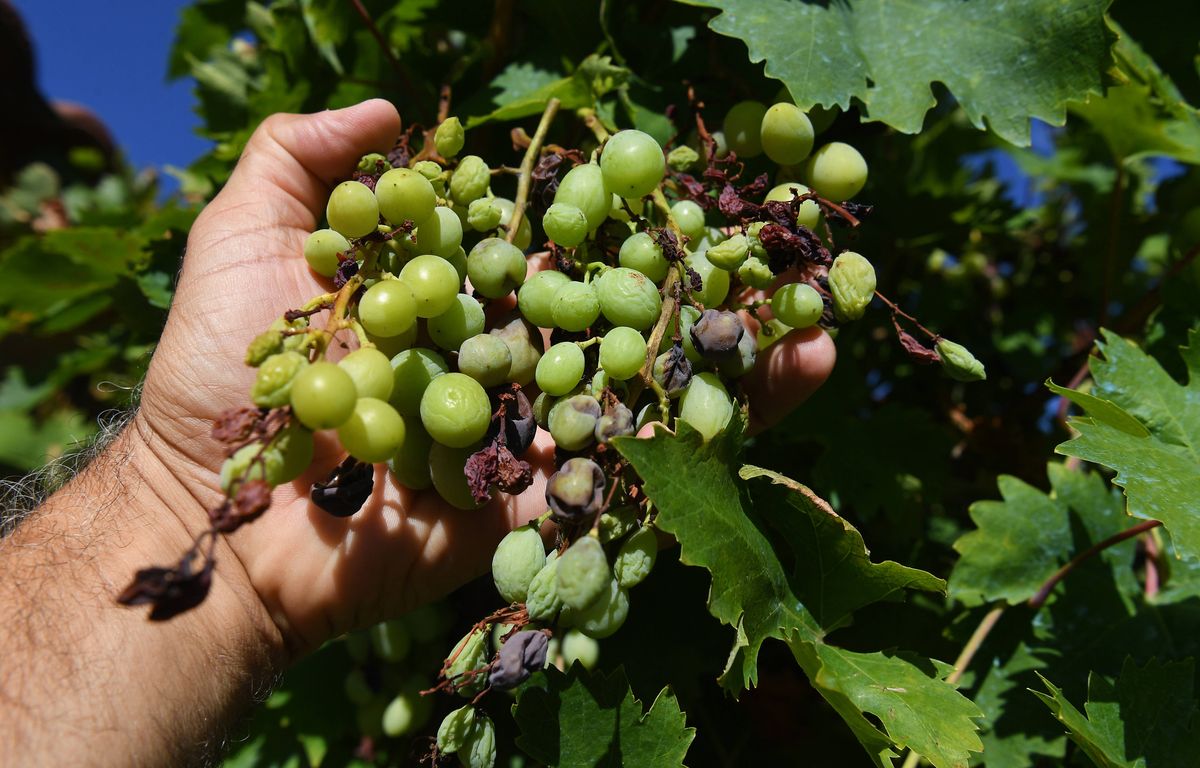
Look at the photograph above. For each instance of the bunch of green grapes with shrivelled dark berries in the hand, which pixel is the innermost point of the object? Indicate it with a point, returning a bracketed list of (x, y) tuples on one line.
[(647, 303)]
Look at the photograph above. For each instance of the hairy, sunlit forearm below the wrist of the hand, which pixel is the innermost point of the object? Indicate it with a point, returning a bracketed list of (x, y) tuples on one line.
[(86, 681)]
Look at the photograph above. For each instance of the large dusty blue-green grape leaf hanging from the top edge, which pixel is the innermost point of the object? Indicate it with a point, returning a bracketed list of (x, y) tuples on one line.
[(887, 55)]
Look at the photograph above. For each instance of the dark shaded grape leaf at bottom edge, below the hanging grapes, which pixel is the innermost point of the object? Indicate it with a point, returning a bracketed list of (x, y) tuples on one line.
[(581, 719)]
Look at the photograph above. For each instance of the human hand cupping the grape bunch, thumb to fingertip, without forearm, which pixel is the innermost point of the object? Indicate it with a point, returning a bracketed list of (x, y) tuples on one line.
[(314, 574)]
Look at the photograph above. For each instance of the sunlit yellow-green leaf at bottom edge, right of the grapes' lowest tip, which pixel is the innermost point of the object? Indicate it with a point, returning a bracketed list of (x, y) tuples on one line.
[(909, 697)]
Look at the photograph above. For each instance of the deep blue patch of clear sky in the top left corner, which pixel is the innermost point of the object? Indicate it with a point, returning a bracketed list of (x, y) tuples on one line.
[(112, 58)]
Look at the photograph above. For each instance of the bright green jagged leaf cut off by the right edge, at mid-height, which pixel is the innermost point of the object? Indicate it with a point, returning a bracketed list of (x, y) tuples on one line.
[(1160, 472)]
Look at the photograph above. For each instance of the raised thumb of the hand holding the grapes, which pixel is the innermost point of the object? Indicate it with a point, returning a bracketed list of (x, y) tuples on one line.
[(292, 161)]
